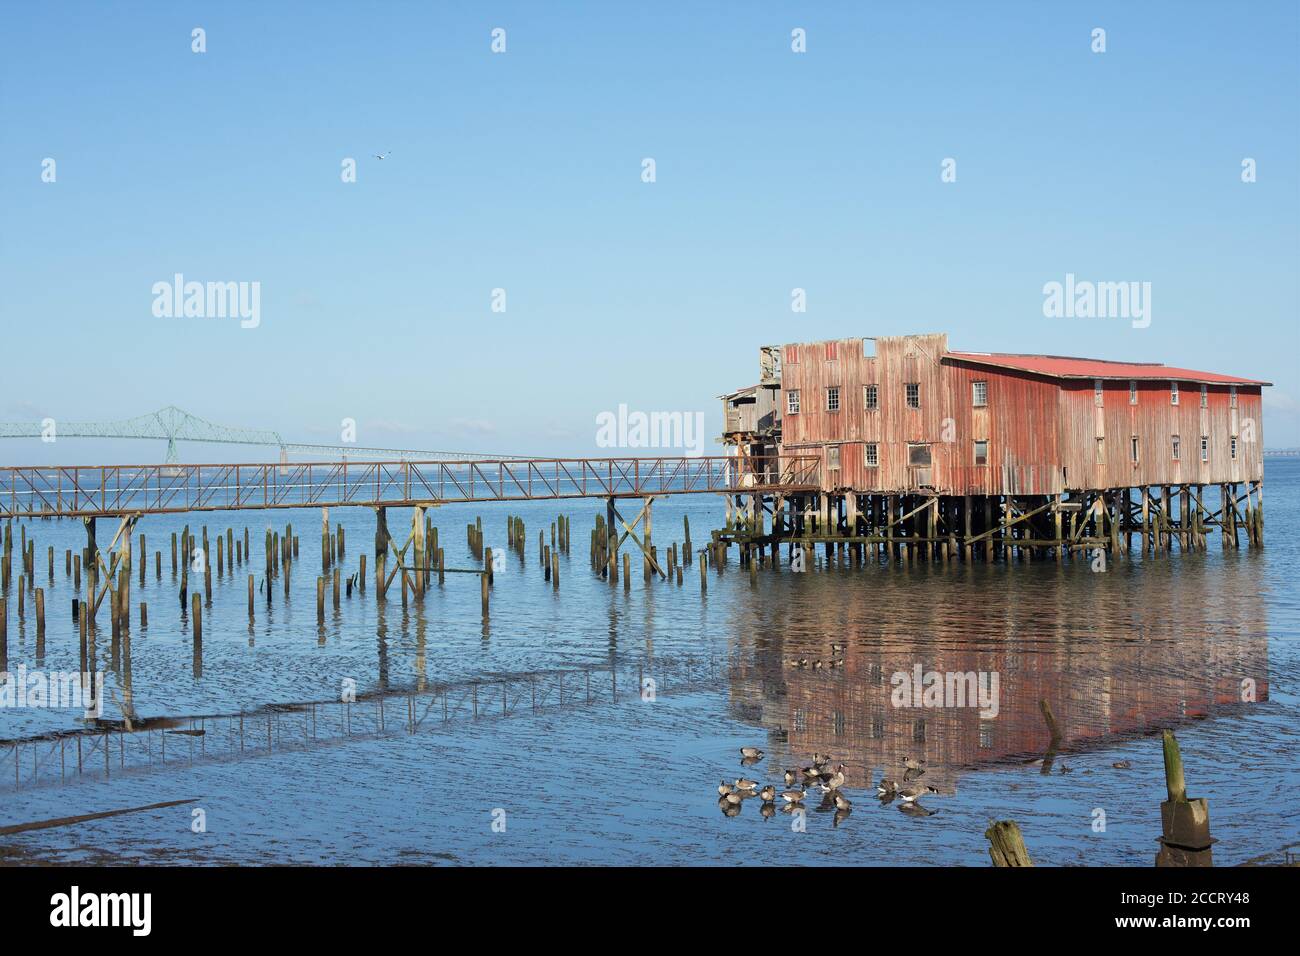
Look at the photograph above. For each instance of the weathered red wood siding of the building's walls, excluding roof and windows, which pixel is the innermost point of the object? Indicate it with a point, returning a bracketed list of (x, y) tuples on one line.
[(1041, 430)]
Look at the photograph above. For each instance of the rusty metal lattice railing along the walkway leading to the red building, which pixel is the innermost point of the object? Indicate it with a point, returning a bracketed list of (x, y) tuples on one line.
[(116, 490)]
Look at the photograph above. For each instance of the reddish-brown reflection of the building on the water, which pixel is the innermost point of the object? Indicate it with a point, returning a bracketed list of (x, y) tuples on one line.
[(1106, 672)]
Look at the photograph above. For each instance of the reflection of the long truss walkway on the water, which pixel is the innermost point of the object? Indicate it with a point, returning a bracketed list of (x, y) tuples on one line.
[(157, 743)]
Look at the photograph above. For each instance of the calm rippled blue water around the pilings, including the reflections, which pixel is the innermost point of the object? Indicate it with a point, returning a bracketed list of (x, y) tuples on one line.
[(1117, 656)]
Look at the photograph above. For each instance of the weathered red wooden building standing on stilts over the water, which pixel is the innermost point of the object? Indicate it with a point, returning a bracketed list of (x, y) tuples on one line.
[(930, 455)]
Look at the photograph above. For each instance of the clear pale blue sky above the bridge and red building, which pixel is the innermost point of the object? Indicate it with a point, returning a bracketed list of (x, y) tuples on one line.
[(523, 171)]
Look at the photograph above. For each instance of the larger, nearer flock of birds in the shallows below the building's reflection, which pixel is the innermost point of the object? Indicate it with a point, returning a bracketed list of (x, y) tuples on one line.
[(829, 780)]
